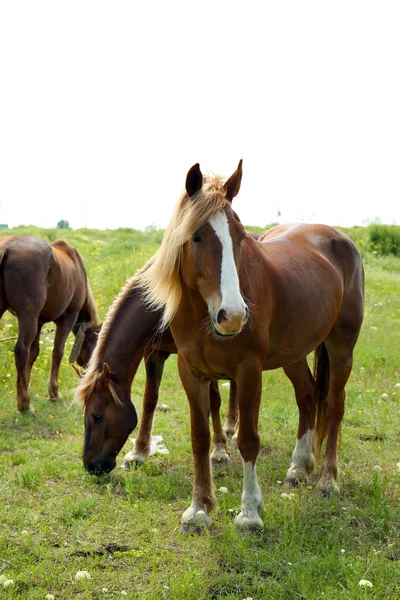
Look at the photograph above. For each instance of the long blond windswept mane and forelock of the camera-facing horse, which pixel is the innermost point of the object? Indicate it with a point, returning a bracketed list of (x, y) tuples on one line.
[(160, 283)]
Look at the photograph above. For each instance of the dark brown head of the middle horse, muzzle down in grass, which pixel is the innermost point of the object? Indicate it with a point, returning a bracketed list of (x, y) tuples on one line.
[(108, 422)]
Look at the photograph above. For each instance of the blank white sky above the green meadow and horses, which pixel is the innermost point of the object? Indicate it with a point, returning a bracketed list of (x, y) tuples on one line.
[(104, 106)]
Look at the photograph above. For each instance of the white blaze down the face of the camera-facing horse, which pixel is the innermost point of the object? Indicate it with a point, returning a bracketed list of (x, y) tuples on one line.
[(232, 301)]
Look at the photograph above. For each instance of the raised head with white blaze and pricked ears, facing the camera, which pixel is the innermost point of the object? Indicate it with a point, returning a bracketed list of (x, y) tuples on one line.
[(212, 257)]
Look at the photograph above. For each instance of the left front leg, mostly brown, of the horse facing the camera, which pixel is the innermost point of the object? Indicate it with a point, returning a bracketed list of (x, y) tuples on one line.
[(195, 518)]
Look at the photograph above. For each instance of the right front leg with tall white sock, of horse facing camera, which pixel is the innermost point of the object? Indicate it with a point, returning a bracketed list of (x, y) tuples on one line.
[(249, 386)]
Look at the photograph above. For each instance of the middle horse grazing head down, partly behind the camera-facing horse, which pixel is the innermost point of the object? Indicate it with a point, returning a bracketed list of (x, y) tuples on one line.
[(128, 334)]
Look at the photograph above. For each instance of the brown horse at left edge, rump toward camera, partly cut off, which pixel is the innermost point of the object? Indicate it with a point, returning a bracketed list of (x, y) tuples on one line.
[(40, 283)]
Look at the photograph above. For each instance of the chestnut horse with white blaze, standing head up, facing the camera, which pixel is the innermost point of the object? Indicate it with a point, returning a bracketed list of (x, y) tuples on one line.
[(236, 307)]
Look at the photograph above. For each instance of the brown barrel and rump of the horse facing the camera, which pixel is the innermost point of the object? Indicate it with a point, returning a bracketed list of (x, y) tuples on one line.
[(303, 279)]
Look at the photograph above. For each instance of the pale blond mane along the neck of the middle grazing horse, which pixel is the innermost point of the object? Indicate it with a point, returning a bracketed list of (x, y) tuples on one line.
[(92, 371)]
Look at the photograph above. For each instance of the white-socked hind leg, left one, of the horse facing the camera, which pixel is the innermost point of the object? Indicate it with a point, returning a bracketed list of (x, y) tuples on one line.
[(303, 457)]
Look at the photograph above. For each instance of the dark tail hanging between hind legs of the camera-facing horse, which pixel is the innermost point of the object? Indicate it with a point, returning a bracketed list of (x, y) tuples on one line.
[(321, 376)]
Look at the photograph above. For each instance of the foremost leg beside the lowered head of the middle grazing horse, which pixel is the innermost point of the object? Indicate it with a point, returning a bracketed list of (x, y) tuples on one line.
[(154, 365)]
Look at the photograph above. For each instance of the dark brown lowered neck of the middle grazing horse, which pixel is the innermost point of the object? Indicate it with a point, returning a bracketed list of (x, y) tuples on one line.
[(130, 330)]
